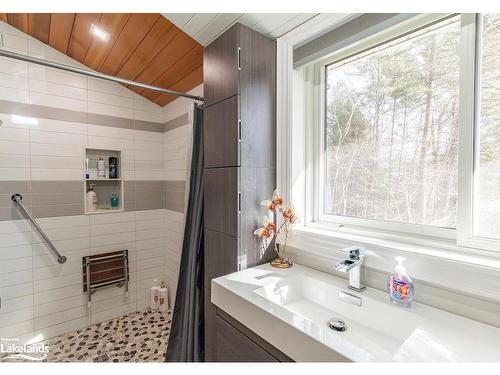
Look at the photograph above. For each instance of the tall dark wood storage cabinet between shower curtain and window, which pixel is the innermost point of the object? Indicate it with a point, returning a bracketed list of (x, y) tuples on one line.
[(239, 166)]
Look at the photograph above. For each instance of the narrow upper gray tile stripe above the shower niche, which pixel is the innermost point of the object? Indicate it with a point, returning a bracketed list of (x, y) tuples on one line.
[(51, 113)]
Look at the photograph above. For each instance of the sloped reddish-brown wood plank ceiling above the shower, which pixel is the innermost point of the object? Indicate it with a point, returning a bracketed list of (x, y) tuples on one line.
[(144, 47)]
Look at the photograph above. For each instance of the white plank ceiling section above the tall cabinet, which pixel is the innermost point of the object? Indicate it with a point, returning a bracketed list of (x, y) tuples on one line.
[(205, 27)]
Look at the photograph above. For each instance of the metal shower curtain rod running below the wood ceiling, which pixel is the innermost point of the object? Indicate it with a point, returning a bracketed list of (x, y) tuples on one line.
[(106, 77)]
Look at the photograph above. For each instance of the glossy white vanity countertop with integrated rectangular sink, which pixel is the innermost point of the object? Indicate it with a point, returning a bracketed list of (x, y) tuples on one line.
[(290, 308)]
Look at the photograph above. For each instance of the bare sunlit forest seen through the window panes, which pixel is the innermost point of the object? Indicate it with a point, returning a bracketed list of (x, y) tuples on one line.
[(387, 151)]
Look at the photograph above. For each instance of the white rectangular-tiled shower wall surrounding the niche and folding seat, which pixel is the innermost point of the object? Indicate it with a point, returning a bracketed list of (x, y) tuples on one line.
[(41, 298)]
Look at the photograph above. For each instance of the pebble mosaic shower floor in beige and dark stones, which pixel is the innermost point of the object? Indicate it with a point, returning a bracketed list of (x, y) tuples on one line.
[(136, 337)]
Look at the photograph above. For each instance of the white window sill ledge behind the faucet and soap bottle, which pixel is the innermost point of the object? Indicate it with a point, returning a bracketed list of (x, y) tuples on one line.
[(443, 265)]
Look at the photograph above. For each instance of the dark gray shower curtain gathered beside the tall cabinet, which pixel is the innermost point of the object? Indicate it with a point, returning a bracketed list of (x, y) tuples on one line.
[(186, 341)]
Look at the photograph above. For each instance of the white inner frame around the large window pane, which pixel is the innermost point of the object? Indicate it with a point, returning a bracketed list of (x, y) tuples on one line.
[(314, 76)]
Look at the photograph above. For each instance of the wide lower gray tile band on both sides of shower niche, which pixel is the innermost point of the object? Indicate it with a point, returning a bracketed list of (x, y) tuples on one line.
[(66, 198)]
